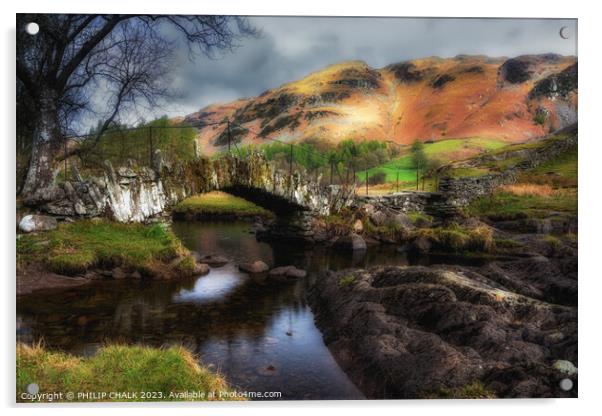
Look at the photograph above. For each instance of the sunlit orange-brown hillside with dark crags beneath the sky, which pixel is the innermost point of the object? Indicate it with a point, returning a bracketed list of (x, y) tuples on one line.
[(430, 99)]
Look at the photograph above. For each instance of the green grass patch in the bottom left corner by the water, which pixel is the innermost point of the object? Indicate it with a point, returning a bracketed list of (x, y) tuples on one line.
[(115, 368)]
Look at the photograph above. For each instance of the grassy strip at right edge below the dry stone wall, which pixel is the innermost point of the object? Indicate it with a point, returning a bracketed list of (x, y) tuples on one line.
[(507, 206)]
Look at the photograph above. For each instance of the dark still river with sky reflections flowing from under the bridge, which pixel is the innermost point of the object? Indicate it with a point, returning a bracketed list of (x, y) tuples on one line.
[(260, 335)]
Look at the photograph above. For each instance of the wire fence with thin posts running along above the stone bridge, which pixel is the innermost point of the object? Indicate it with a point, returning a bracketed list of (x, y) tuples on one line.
[(125, 145)]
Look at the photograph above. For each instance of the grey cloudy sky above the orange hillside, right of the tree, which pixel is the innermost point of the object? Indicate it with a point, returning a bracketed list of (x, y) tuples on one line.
[(291, 47)]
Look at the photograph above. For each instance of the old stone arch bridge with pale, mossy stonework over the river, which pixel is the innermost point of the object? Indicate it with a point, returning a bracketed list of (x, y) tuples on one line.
[(133, 194)]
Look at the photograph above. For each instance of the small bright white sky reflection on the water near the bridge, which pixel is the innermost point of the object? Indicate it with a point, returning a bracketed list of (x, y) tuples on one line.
[(212, 287)]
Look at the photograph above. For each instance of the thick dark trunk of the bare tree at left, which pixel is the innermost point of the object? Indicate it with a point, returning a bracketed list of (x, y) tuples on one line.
[(46, 147)]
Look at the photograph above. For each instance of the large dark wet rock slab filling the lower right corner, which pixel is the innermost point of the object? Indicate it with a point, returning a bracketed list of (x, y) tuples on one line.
[(409, 332)]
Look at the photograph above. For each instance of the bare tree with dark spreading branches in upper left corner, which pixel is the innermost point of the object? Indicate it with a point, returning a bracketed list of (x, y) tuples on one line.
[(124, 60)]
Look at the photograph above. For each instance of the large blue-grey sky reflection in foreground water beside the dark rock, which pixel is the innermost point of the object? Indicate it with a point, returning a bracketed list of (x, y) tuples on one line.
[(290, 357)]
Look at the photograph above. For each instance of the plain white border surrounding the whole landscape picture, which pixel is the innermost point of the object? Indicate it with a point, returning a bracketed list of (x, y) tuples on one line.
[(590, 116)]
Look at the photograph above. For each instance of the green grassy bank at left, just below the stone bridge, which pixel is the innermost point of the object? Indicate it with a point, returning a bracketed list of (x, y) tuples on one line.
[(73, 248)]
